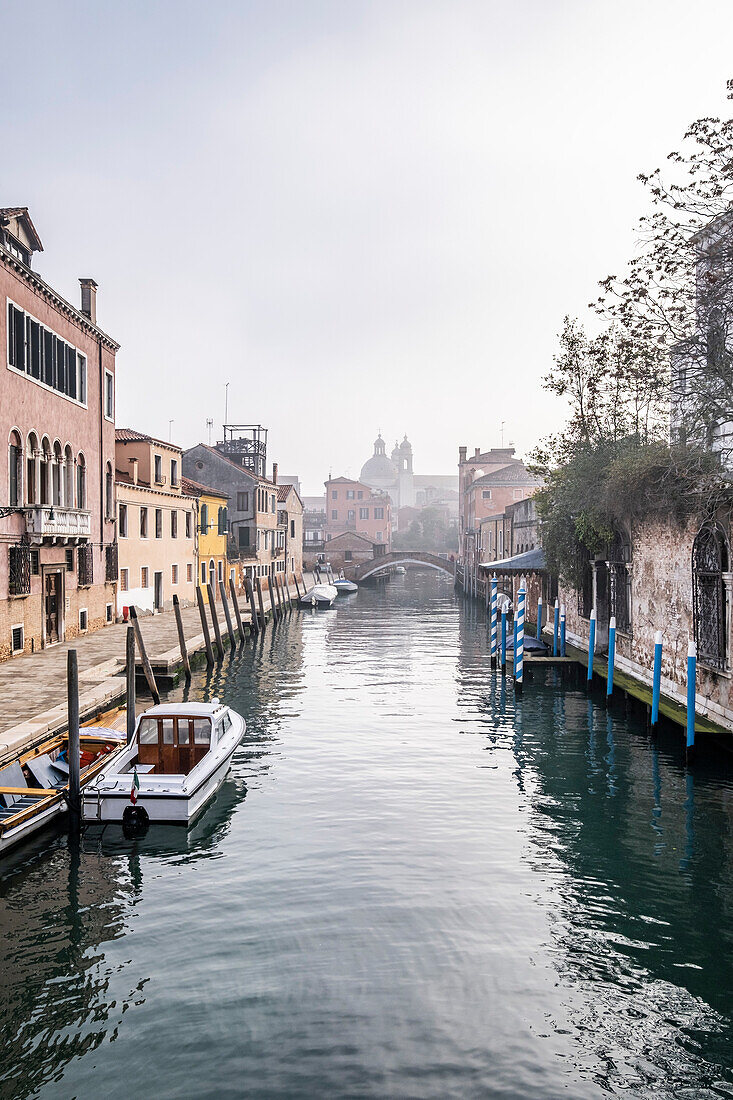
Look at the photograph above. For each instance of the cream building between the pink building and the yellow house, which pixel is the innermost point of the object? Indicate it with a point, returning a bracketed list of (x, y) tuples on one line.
[(157, 525)]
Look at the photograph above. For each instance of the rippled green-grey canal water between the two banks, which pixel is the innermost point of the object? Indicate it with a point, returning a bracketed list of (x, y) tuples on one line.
[(412, 885)]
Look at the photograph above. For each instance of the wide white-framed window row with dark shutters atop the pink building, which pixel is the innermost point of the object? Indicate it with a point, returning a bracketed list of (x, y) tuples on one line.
[(38, 353)]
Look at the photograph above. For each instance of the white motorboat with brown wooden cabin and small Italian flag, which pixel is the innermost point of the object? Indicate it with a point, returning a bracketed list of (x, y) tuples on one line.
[(178, 761)]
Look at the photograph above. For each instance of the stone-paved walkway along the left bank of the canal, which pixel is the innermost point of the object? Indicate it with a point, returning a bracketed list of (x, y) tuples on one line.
[(34, 687)]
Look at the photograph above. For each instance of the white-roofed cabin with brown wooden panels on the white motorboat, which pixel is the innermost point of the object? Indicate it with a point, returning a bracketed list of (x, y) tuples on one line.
[(172, 742)]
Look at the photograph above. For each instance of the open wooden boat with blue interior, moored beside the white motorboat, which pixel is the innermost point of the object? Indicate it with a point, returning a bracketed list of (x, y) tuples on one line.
[(35, 788)]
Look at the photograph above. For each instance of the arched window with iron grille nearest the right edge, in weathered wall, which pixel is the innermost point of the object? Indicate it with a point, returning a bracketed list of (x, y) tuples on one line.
[(710, 604)]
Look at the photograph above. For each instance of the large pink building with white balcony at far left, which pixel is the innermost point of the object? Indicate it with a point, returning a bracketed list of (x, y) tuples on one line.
[(59, 549)]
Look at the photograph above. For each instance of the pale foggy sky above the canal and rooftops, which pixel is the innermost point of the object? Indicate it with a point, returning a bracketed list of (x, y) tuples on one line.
[(359, 215)]
